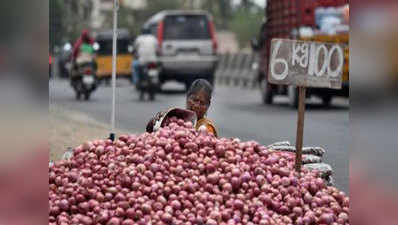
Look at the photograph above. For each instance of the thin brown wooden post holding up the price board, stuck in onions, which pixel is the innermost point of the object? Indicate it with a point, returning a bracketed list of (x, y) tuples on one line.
[(300, 128)]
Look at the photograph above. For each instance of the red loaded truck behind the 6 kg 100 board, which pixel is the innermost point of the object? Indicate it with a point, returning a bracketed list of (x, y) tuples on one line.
[(310, 20)]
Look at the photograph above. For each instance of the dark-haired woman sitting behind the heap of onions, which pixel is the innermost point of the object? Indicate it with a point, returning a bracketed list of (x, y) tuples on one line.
[(198, 101)]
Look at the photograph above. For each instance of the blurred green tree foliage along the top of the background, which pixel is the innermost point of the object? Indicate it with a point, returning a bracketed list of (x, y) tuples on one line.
[(244, 20)]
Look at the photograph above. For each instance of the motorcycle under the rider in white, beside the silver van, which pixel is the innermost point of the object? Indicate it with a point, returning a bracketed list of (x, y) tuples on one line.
[(149, 80)]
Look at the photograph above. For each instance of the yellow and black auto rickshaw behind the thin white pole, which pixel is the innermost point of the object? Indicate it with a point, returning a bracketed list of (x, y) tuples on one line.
[(103, 47)]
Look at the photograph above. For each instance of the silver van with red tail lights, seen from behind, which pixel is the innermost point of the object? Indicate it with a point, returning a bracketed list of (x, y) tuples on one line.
[(187, 45)]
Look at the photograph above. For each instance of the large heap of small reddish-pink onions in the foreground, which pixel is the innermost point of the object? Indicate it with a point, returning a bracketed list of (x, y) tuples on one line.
[(179, 176)]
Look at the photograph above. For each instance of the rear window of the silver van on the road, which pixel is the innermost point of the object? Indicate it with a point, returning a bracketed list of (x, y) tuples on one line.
[(186, 27)]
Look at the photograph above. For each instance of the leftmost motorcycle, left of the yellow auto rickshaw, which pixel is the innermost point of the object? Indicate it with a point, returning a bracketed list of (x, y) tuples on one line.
[(84, 80)]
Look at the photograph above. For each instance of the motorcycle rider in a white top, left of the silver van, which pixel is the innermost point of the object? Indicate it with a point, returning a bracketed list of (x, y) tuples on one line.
[(145, 47)]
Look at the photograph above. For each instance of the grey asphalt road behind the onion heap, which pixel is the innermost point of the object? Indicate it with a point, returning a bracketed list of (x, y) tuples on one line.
[(236, 113)]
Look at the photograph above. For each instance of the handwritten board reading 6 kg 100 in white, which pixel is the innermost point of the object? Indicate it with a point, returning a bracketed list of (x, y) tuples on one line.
[(306, 64)]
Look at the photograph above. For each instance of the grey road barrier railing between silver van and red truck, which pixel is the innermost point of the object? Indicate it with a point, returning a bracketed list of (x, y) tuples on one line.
[(237, 70)]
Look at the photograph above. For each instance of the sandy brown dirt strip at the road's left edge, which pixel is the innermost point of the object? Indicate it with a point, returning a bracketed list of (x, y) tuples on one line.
[(71, 129)]
